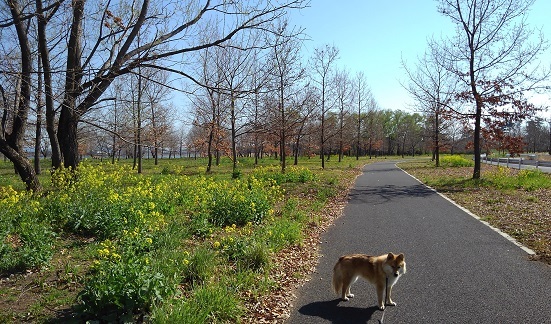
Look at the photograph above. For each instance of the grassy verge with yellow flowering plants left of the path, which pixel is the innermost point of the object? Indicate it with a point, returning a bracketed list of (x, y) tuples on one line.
[(171, 245)]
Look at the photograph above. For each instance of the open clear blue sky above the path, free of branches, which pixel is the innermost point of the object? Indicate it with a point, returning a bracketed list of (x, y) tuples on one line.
[(373, 36)]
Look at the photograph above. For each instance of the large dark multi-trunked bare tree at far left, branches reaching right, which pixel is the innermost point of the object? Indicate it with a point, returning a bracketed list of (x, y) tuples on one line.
[(102, 45)]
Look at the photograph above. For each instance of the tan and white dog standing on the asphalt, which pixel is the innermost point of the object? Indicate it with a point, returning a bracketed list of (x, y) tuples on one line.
[(379, 270)]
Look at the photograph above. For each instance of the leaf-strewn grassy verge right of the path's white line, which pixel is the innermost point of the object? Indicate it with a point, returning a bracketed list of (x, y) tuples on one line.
[(516, 202)]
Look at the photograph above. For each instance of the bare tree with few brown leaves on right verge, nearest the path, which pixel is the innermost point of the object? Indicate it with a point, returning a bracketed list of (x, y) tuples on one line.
[(493, 54)]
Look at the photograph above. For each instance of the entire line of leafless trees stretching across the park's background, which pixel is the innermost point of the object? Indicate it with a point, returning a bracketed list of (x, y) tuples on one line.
[(102, 83)]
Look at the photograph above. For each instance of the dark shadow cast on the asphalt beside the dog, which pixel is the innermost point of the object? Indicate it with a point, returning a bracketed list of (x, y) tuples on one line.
[(331, 311)]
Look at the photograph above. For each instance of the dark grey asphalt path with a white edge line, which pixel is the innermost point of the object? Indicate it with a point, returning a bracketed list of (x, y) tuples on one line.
[(458, 269)]
